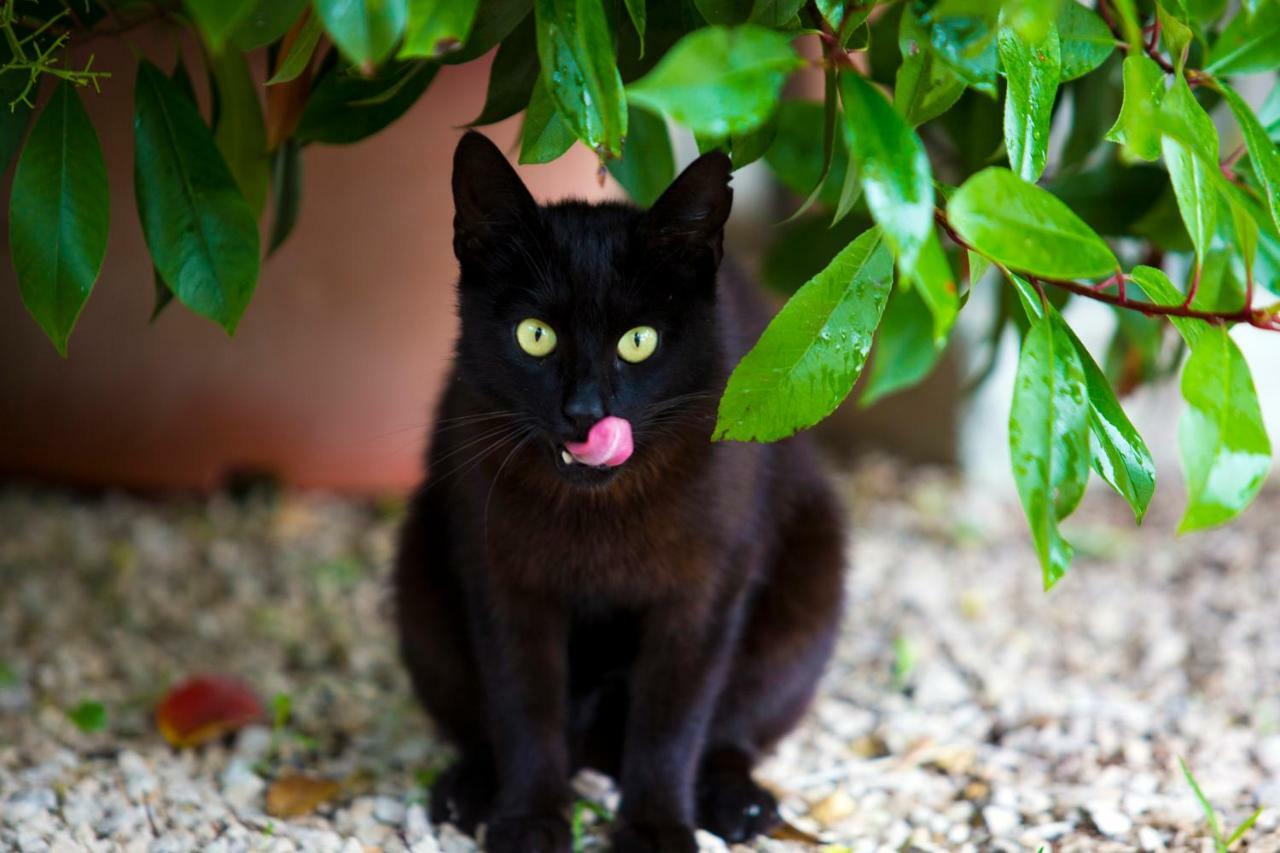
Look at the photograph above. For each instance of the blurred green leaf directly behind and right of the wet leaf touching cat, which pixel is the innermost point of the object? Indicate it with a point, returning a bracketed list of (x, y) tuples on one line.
[(906, 353)]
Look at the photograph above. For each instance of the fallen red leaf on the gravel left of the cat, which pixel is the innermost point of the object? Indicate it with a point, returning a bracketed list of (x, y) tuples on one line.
[(207, 708)]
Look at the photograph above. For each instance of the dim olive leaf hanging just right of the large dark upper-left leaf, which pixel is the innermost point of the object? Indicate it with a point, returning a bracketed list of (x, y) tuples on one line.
[(241, 135)]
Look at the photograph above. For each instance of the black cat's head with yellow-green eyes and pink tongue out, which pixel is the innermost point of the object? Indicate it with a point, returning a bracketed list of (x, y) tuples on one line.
[(593, 325)]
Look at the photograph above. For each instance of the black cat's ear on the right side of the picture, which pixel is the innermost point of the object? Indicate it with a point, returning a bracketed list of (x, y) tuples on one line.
[(691, 215)]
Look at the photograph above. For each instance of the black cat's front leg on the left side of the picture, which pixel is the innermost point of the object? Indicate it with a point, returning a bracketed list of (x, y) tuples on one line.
[(523, 645)]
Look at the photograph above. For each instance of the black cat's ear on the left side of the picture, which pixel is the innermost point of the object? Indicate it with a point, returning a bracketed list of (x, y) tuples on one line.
[(488, 195)]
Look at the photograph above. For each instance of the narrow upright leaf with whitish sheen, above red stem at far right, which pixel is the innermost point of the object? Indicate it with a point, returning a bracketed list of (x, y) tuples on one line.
[(1190, 145)]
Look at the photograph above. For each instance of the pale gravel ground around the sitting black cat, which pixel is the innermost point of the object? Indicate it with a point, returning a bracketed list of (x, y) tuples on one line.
[(967, 709)]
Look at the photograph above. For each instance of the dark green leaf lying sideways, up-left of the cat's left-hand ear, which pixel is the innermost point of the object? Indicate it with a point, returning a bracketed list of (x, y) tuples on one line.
[(346, 108)]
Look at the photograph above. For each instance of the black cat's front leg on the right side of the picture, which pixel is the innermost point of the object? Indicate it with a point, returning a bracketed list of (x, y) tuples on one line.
[(679, 674)]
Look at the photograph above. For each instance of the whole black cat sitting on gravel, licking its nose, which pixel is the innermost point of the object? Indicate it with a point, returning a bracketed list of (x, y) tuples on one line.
[(584, 578)]
